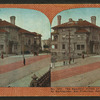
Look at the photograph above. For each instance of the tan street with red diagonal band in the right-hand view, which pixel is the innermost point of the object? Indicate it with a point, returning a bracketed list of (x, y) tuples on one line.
[(82, 72)]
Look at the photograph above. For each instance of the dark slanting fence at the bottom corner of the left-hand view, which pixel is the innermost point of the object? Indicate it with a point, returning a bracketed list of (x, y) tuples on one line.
[(43, 81)]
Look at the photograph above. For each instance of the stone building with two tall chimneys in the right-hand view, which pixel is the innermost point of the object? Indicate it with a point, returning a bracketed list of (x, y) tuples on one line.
[(74, 37)]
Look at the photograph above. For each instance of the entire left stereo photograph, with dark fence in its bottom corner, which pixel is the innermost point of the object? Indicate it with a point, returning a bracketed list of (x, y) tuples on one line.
[(24, 48)]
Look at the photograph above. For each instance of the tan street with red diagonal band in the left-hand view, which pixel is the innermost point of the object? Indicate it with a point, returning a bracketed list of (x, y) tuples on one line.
[(12, 69)]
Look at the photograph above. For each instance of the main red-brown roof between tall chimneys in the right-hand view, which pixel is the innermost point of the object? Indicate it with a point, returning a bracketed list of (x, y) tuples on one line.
[(76, 24)]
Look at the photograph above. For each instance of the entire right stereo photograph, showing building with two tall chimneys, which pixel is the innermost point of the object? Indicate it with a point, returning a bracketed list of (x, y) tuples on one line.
[(75, 48)]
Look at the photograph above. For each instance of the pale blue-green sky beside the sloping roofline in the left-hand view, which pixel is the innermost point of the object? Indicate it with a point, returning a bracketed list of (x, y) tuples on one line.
[(31, 20)]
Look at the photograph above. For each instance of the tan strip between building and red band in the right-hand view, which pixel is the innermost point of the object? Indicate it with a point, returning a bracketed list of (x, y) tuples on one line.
[(77, 62)]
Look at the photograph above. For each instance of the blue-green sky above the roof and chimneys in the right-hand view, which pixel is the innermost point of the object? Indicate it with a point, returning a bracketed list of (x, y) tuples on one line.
[(75, 14)]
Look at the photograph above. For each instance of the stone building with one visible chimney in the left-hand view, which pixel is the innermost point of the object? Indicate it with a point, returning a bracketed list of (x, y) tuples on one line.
[(15, 40)]
